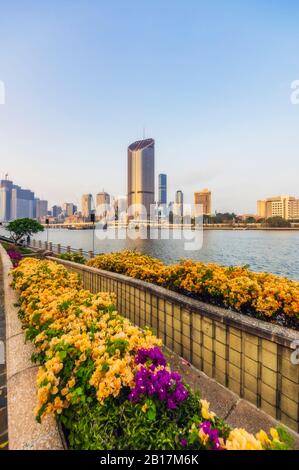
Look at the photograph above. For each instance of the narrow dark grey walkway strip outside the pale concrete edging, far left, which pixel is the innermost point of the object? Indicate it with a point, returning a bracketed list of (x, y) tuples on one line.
[(3, 389)]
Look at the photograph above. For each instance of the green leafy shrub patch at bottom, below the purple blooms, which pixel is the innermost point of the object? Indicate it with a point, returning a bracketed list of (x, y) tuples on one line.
[(120, 424)]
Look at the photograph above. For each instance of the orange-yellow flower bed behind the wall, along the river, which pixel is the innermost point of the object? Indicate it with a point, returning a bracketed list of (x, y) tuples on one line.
[(263, 295)]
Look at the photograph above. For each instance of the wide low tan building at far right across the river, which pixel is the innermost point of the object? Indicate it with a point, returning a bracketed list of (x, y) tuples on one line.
[(283, 206)]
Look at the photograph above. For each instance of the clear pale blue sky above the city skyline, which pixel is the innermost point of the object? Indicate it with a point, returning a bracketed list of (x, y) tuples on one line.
[(209, 80)]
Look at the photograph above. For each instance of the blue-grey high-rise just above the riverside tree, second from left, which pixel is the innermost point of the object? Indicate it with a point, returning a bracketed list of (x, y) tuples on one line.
[(22, 203)]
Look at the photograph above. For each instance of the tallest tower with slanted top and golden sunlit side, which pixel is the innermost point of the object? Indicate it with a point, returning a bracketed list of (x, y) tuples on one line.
[(141, 178)]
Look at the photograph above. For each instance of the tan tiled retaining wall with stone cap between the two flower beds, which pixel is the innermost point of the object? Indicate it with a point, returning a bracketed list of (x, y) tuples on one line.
[(250, 357)]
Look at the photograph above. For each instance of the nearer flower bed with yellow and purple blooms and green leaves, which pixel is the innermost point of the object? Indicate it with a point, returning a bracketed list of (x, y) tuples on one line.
[(106, 380)]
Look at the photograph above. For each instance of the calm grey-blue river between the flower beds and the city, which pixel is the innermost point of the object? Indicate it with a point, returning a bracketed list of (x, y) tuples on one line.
[(272, 251)]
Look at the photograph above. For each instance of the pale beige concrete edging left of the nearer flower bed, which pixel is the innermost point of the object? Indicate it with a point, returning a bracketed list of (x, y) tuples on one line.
[(24, 433)]
